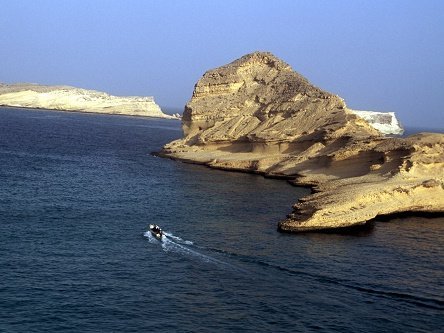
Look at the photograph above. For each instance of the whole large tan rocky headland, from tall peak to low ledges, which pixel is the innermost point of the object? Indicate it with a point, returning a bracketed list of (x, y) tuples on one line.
[(258, 115)]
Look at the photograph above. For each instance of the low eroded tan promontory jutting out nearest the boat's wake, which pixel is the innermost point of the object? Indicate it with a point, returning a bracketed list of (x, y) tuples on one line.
[(399, 175)]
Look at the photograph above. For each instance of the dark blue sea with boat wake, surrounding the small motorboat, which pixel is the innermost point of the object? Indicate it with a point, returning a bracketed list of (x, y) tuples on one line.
[(78, 190)]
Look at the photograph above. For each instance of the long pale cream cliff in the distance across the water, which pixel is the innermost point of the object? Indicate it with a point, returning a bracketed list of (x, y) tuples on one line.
[(76, 99)]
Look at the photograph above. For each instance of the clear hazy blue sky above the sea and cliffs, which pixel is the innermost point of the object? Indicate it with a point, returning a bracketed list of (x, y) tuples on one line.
[(379, 55)]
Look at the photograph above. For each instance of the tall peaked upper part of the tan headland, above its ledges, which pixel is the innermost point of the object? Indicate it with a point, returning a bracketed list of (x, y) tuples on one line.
[(259, 98)]
